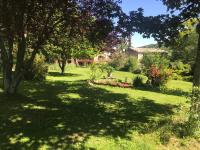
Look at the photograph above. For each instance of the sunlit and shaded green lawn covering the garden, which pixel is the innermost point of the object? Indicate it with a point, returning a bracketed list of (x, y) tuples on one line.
[(64, 112)]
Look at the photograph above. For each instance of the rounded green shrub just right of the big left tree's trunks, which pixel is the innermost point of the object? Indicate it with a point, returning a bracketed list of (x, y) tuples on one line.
[(38, 71)]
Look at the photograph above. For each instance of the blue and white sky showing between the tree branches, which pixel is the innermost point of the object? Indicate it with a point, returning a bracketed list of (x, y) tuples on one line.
[(151, 8)]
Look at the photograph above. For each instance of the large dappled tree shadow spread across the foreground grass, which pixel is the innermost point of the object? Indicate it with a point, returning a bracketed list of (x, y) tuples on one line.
[(59, 114)]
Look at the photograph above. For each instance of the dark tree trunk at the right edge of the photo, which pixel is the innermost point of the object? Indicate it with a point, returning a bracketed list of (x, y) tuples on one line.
[(196, 81)]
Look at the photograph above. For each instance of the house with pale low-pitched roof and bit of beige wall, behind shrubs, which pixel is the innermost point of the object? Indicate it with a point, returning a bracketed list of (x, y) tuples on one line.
[(139, 52)]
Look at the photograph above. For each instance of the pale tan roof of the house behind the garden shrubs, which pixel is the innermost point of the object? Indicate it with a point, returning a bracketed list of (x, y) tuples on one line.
[(147, 50)]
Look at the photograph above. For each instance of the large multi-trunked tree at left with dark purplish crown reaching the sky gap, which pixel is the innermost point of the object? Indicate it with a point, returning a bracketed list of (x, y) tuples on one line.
[(26, 25)]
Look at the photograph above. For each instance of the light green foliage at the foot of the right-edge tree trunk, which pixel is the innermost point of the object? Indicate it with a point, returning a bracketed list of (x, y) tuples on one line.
[(193, 125)]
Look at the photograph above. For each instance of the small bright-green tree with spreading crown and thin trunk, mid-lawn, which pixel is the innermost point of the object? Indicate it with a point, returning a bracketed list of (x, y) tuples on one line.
[(67, 43)]
